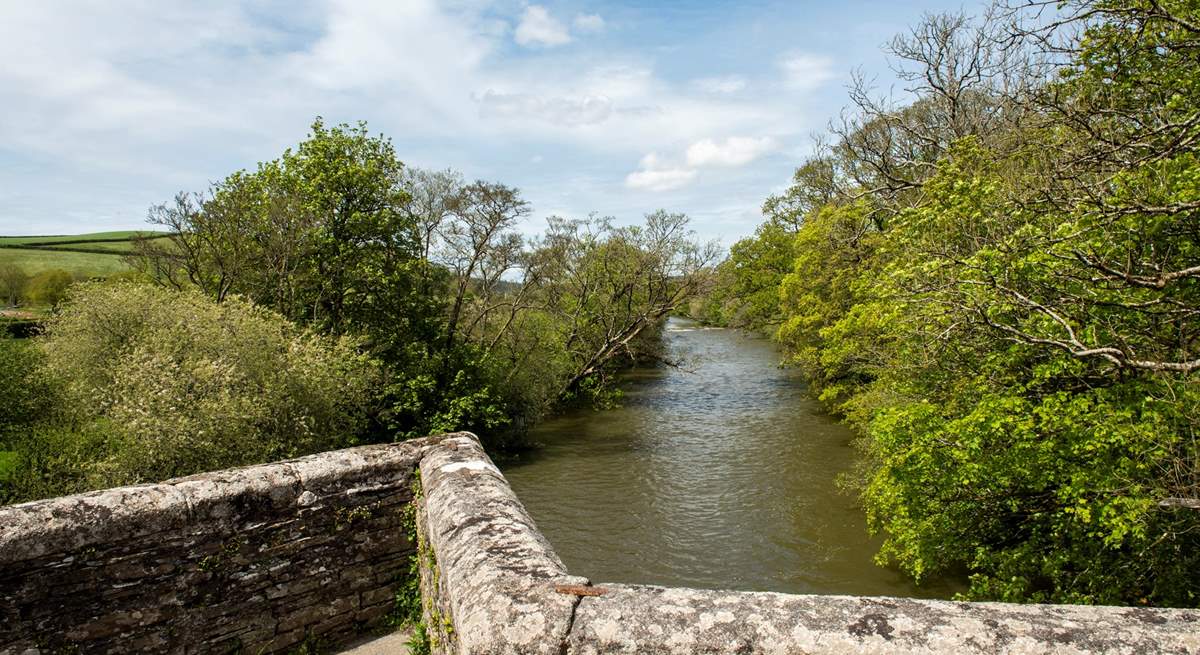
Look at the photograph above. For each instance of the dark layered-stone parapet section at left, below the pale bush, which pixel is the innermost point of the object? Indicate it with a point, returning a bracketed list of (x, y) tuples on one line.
[(259, 560)]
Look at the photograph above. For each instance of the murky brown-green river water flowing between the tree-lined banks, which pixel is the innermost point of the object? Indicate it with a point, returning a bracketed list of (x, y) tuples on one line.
[(722, 476)]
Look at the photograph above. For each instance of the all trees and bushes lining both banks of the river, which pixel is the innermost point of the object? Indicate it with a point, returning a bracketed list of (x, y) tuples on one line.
[(992, 273)]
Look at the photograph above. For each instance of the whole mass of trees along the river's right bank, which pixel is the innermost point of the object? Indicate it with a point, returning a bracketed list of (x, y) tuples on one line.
[(995, 278)]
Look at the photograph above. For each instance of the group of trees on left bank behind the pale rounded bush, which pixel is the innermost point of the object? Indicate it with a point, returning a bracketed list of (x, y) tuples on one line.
[(478, 327)]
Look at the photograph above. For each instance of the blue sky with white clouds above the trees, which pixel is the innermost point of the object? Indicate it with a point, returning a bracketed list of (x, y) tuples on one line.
[(616, 107)]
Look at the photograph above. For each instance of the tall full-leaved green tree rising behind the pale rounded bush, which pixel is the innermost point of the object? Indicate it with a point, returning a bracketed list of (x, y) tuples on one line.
[(321, 236)]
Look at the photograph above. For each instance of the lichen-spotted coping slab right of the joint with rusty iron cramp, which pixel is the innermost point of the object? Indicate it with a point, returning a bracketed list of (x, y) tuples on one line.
[(653, 620)]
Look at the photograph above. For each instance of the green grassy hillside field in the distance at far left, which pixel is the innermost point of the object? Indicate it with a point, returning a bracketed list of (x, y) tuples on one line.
[(35, 255)]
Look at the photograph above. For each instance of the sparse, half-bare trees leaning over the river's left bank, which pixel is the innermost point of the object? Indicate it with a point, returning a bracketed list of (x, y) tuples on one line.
[(586, 299)]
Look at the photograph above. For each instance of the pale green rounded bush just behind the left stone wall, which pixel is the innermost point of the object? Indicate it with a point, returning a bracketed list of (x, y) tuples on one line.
[(157, 384)]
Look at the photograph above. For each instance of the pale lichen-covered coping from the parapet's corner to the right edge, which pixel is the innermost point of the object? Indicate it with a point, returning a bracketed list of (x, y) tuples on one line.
[(503, 587)]
